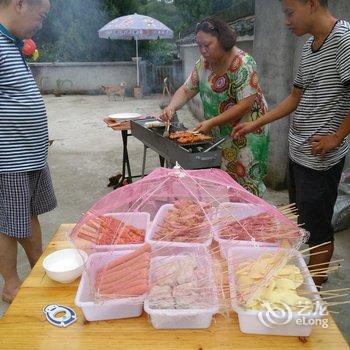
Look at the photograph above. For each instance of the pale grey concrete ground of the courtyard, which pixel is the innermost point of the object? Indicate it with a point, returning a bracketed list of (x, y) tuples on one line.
[(85, 153)]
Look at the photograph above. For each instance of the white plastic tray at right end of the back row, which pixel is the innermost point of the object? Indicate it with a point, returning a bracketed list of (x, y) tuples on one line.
[(238, 211)]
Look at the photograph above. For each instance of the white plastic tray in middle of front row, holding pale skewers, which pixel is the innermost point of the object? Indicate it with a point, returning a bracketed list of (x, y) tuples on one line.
[(182, 318)]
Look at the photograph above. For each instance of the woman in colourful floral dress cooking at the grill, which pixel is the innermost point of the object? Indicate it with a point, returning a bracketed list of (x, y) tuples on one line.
[(227, 81)]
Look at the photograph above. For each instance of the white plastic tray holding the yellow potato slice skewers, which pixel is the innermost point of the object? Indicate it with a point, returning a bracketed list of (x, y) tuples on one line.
[(249, 321)]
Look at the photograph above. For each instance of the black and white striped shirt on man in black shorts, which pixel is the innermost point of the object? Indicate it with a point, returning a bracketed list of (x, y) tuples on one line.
[(324, 77)]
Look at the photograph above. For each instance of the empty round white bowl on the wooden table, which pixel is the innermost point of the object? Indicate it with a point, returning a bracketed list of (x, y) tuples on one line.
[(65, 265)]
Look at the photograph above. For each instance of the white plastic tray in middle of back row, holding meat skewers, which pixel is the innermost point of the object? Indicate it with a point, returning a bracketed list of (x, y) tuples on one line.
[(158, 219)]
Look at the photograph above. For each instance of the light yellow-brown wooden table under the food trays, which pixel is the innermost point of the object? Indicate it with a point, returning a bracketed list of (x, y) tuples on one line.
[(24, 326)]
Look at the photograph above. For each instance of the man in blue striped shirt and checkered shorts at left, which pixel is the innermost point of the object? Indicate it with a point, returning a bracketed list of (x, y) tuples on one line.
[(25, 184)]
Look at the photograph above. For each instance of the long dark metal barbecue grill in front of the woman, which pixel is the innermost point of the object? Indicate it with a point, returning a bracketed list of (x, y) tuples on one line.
[(190, 156)]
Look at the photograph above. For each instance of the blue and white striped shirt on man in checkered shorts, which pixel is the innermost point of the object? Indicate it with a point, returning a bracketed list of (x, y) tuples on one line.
[(23, 120)]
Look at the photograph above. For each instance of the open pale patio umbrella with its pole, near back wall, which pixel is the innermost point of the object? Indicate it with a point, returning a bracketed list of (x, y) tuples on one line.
[(136, 27)]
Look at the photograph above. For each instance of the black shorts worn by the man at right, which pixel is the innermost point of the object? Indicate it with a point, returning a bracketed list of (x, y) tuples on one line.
[(314, 193)]
